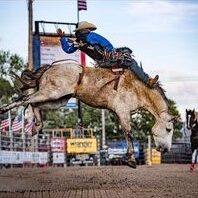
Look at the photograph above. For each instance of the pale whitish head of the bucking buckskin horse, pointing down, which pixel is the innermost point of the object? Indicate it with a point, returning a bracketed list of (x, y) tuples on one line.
[(163, 132)]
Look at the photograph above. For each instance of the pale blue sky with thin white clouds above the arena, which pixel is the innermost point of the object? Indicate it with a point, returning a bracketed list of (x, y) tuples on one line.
[(163, 35)]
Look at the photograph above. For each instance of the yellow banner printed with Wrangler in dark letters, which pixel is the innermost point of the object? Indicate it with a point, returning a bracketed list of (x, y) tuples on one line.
[(77, 146)]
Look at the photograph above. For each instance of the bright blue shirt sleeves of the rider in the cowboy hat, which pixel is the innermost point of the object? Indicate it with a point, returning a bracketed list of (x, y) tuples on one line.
[(91, 39)]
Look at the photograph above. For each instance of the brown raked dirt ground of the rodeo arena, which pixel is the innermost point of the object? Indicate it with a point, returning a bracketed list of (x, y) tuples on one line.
[(167, 180)]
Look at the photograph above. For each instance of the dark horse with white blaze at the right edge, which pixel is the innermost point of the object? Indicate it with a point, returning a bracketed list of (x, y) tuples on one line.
[(192, 124)]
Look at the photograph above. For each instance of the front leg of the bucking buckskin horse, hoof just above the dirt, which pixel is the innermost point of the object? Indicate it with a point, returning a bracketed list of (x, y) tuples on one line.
[(126, 126)]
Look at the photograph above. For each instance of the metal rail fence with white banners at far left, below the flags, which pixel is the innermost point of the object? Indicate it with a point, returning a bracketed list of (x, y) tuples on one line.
[(19, 149)]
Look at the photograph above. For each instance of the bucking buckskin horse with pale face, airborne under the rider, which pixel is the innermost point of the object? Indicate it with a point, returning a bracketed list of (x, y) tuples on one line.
[(96, 87)]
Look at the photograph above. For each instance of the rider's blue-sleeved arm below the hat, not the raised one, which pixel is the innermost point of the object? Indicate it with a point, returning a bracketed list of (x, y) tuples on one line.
[(96, 39)]
